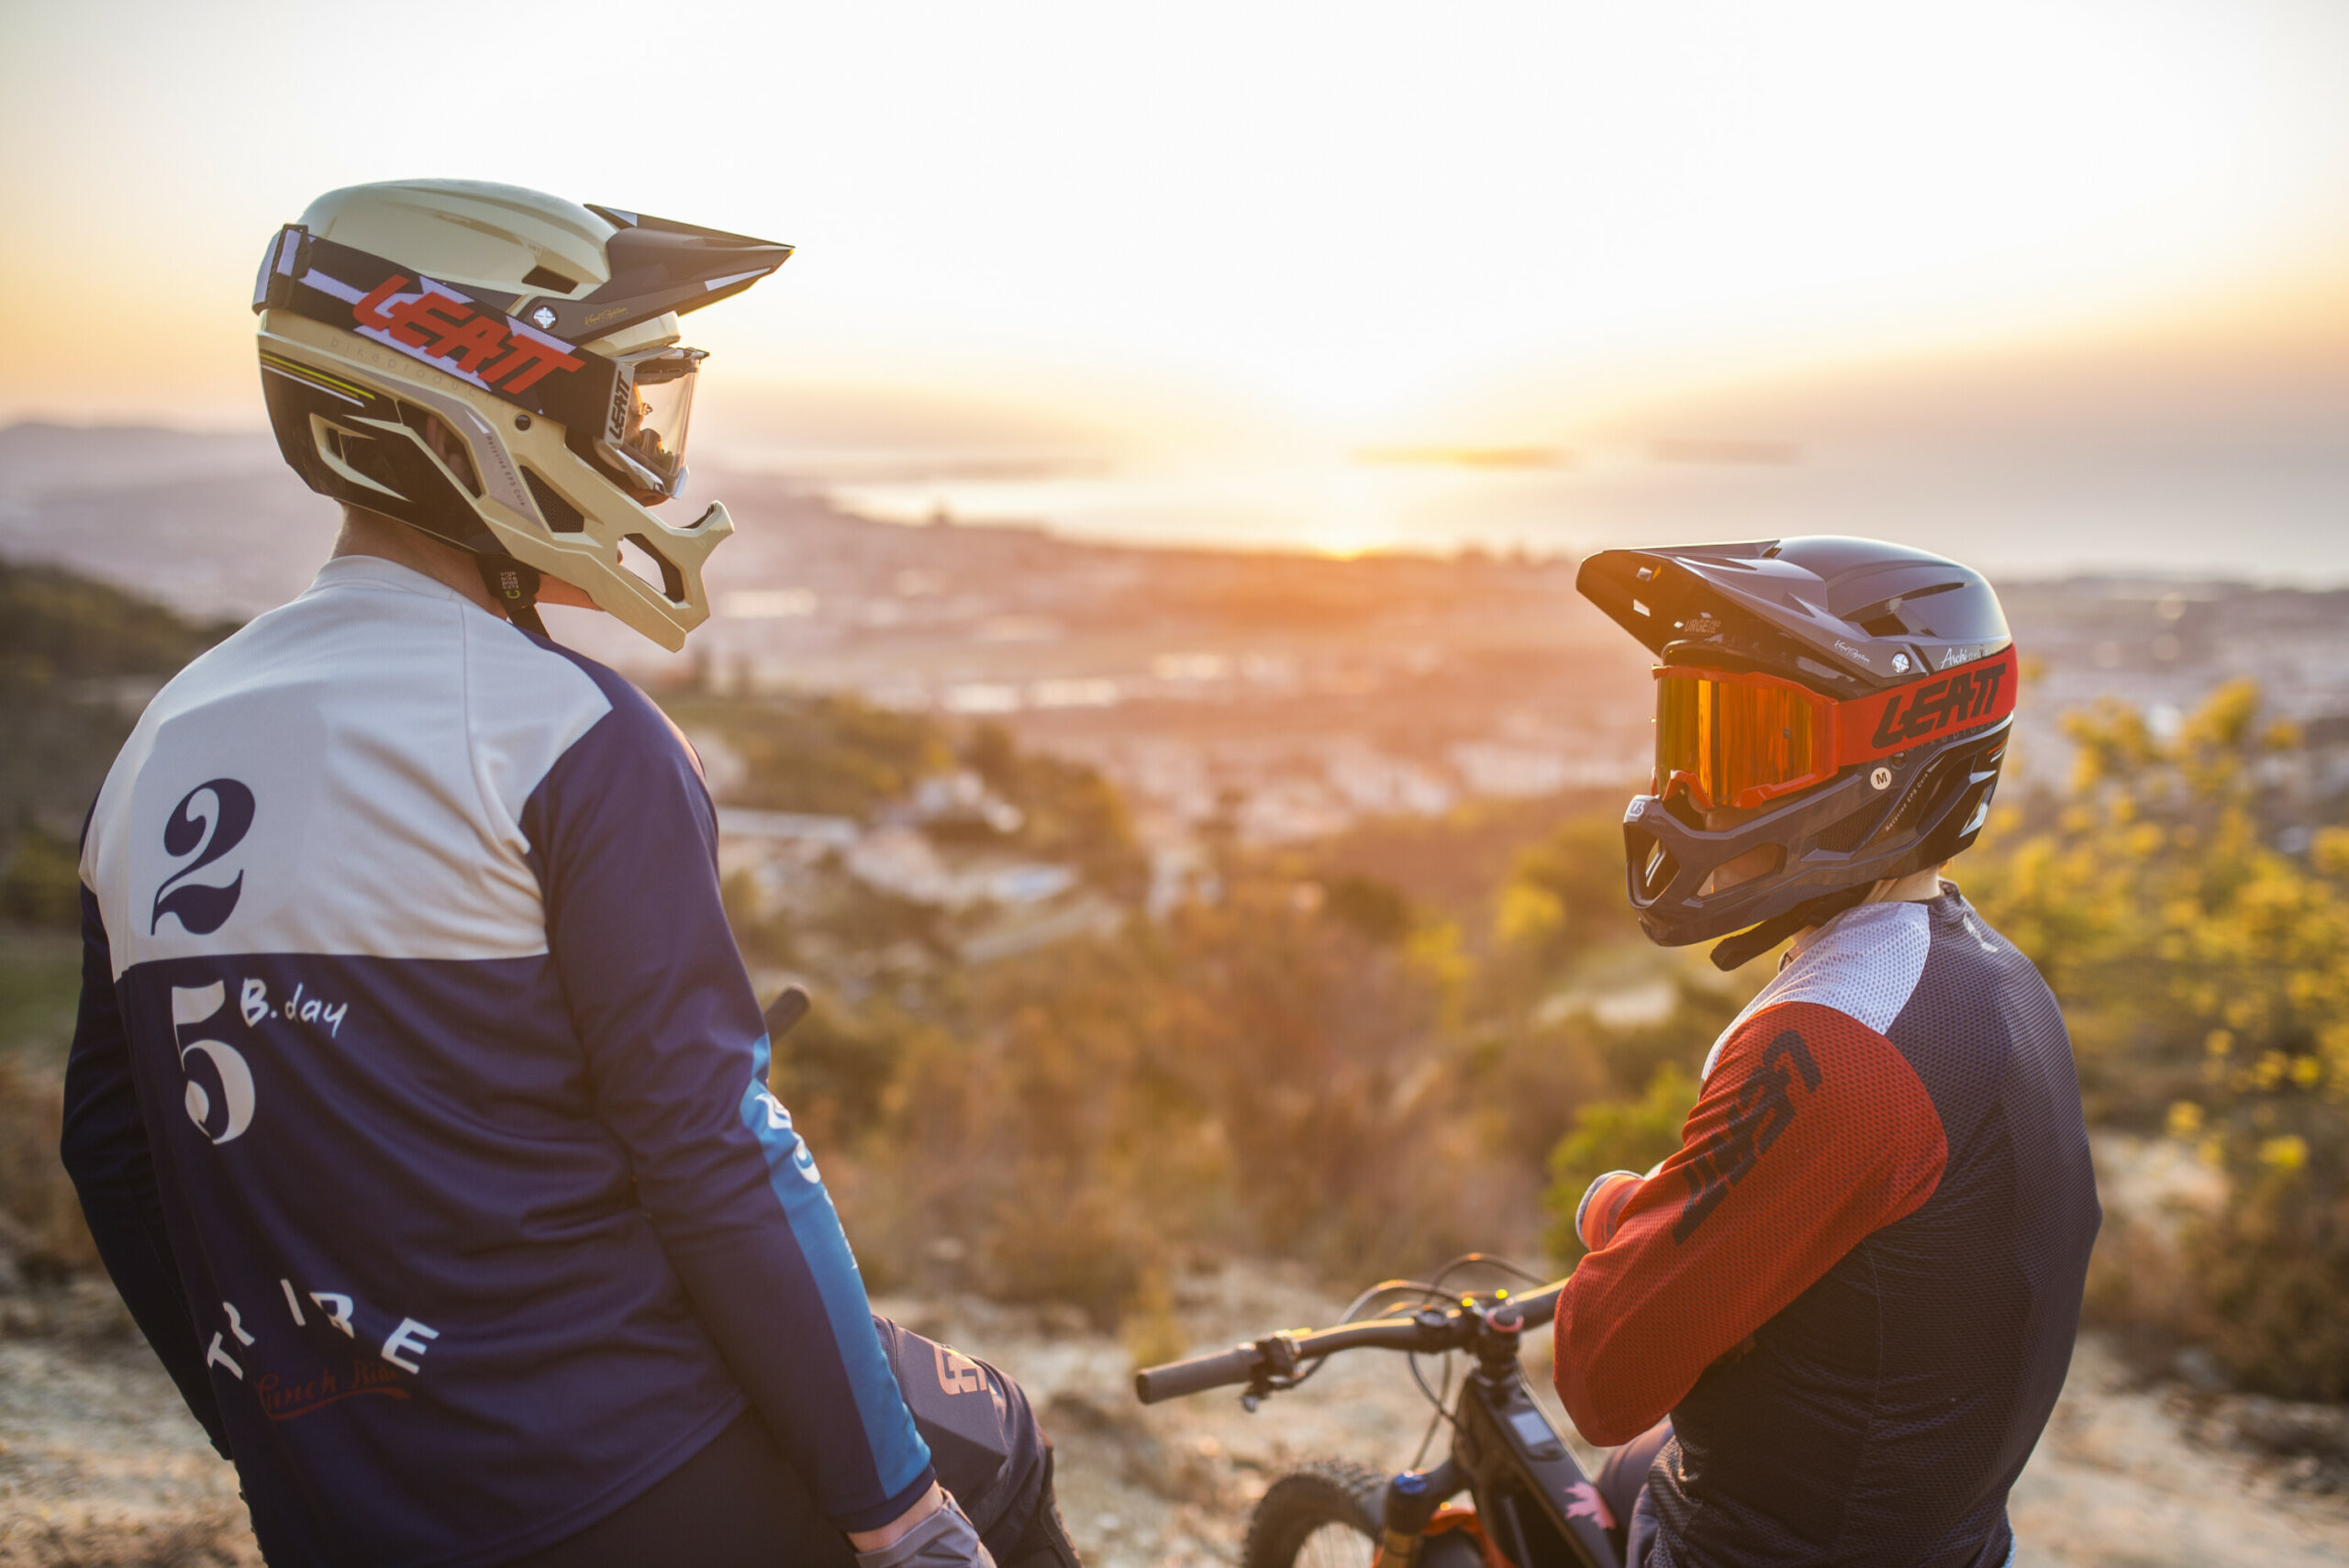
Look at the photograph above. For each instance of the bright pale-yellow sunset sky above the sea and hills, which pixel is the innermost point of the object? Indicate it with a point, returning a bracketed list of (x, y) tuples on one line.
[(1265, 241)]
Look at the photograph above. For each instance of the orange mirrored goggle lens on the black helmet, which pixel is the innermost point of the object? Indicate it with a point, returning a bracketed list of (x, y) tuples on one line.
[(1739, 741)]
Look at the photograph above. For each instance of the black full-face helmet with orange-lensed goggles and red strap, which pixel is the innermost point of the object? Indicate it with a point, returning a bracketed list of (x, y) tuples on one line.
[(1838, 703)]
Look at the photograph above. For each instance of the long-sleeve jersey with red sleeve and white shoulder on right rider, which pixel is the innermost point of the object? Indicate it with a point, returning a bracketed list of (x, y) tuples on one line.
[(1859, 1280)]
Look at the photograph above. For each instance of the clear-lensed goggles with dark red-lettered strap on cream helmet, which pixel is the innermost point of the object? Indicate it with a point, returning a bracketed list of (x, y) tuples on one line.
[(628, 410)]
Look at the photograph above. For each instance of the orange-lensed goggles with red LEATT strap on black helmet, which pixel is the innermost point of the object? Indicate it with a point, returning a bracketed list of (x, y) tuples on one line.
[(1742, 741)]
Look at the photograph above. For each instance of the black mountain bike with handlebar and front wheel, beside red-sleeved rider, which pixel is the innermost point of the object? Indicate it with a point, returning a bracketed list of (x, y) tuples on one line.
[(1533, 1503)]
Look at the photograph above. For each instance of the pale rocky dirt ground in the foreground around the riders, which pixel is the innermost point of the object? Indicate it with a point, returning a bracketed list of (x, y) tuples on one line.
[(100, 1466)]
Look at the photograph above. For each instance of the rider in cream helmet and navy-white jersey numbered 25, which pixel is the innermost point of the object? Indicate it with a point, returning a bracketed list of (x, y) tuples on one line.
[(419, 1097)]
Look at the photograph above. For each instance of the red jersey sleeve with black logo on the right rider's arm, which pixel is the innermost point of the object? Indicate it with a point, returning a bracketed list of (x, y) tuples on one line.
[(1810, 1135)]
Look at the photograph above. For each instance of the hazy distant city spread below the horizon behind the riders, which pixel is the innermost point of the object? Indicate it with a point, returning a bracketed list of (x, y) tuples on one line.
[(1279, 696)]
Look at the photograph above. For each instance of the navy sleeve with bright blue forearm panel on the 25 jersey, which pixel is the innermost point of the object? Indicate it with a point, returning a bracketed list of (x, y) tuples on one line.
[(626, 846)]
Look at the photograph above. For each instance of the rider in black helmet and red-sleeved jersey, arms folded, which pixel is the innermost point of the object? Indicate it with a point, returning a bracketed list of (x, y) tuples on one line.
[(1833, 1325)]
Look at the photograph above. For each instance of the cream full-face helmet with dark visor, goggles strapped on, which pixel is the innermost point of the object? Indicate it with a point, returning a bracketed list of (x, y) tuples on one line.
[(504, 372)]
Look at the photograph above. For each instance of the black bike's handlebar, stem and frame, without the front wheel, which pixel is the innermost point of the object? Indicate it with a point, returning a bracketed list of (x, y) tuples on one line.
[(1535, 1503)]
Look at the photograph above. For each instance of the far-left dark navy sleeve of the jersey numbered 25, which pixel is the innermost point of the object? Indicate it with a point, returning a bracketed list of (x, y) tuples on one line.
[(107, 1154)]
